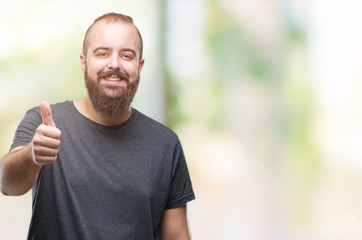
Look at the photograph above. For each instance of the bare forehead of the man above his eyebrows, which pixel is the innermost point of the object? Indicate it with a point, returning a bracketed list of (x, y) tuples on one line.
[(113, 35)]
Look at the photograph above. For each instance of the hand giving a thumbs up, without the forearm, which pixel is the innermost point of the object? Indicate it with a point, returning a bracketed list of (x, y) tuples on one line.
[(46, 140)]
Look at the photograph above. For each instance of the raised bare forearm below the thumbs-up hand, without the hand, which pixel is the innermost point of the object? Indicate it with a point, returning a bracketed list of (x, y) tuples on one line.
[(18, 172)]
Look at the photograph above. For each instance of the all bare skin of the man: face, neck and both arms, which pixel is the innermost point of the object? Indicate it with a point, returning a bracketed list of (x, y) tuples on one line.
[(111, 46)]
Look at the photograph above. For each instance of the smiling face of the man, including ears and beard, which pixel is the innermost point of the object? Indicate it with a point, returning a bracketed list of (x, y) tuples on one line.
[(111, 66)]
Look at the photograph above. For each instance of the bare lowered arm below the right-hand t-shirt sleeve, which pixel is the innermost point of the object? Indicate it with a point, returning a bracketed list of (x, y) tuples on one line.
[(174, 224)]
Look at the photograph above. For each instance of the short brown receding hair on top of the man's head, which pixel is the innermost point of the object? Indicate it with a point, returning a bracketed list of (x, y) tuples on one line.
[(113, 17)]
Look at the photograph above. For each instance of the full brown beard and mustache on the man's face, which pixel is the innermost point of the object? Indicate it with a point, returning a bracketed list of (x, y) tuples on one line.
[(112, 100)]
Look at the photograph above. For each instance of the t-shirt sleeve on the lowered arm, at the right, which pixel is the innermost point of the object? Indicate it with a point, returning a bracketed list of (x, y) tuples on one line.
[(181, 190)]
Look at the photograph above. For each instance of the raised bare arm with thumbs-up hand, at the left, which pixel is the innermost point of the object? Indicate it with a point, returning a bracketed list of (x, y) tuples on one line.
[(20, 168)]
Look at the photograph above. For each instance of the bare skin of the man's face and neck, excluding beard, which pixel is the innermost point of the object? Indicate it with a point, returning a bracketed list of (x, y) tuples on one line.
[(111, 46)]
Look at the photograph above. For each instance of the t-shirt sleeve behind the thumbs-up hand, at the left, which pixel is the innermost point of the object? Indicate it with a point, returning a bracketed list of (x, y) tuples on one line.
[(26, 129)]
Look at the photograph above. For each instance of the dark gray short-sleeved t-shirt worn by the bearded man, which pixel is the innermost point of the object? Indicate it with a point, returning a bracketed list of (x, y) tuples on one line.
[(109, 182)]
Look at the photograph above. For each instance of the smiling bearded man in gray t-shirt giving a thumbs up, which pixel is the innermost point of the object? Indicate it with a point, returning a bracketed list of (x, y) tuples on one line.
[(98, 168)]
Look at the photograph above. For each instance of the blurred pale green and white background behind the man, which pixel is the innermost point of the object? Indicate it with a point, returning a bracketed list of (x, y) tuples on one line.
[(264, 94)]
